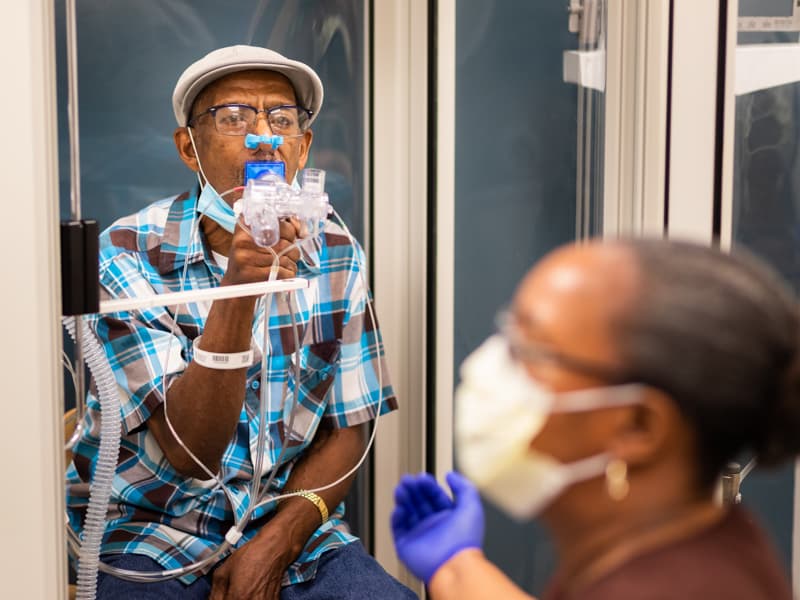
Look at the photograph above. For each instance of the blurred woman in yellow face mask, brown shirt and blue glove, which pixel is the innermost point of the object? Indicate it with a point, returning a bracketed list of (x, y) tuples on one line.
[(623, 379)]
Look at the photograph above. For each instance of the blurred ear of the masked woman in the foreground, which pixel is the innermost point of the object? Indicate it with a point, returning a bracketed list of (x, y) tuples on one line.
[(646, 432)]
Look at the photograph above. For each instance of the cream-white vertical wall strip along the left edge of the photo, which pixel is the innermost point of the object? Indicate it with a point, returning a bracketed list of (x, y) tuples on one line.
[(32, 559)]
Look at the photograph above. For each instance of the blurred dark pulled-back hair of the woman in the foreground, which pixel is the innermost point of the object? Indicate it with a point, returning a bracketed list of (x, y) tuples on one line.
[(720, 334)]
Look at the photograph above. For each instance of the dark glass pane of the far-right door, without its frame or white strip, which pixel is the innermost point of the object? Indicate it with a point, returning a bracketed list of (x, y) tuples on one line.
[(766, 220)]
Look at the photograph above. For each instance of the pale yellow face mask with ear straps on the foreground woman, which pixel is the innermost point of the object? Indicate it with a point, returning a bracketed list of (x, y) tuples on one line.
[(499, 410)]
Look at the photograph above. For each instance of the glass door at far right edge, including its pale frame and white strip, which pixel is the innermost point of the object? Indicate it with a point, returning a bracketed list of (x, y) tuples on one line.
[(763, 211)]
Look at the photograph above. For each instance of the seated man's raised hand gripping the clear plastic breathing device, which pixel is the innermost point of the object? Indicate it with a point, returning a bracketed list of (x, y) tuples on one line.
[(249, 262)]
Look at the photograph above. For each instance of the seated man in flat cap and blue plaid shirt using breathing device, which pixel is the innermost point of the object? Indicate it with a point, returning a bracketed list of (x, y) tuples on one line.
[(190, 429)]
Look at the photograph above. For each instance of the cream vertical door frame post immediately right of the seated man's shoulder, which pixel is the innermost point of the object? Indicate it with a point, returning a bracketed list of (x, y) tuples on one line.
[(399, 209)]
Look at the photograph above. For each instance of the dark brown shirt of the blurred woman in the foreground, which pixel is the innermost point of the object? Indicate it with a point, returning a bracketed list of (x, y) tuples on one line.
[(732, 560)]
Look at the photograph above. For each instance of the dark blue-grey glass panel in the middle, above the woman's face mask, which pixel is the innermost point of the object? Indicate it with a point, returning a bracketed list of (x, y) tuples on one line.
[(515, 191)]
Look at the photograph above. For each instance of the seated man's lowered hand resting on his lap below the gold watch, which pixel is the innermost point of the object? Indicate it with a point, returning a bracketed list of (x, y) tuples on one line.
[(254, 571)]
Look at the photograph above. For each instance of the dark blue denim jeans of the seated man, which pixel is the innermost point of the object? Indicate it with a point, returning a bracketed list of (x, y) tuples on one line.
[(342, 574)]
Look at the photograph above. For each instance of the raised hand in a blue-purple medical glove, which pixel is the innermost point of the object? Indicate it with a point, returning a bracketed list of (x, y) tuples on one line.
[(428, 527)]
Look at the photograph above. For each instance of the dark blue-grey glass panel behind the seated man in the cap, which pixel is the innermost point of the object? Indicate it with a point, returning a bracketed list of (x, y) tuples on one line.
[(130, 54)]
